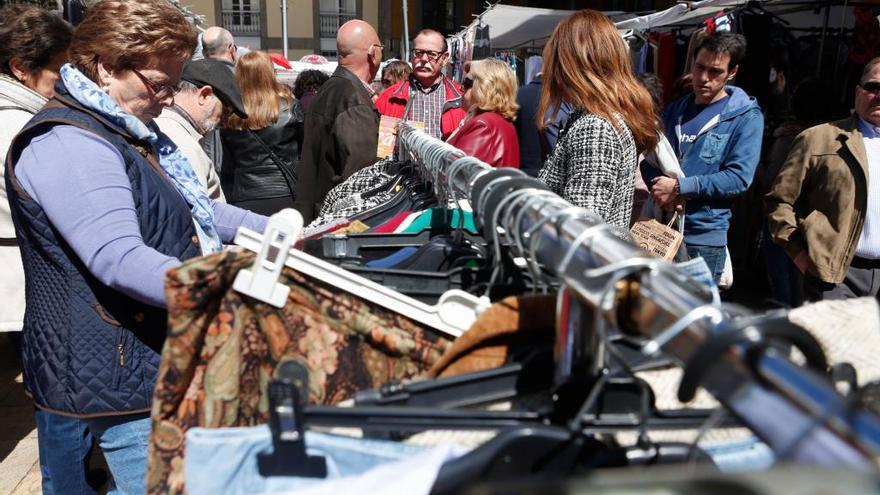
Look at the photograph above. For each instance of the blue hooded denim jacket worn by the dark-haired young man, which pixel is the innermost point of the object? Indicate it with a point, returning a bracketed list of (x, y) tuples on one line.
[(719, 165)]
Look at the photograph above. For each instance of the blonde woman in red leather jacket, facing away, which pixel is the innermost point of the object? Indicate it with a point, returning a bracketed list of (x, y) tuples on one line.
[(487, 133)]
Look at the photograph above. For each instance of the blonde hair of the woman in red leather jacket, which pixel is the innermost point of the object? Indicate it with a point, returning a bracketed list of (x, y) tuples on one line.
[(494, 87)]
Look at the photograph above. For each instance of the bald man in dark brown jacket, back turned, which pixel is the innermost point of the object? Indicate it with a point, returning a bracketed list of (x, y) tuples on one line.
[(341, 126)]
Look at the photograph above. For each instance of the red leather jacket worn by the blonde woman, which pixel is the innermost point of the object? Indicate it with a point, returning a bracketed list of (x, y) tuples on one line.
[(489, 137)]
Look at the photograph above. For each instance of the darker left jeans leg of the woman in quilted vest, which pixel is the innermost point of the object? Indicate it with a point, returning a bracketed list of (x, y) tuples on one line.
[(64, 444)]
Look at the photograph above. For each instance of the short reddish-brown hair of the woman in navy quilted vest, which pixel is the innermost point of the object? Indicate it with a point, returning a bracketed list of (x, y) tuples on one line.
[(128, 34)]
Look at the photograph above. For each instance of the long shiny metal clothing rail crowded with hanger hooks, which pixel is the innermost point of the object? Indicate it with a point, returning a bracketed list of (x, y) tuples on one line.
[(797, 412)]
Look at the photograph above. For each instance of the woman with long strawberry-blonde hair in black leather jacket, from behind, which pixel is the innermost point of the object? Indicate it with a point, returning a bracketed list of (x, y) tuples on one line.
[(262, 151)]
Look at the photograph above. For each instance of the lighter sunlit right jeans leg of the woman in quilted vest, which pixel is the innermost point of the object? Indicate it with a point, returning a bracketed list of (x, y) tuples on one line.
[(124, 441)]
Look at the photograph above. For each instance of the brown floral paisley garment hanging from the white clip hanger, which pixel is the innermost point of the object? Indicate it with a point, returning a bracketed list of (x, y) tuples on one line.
[(222, 348)]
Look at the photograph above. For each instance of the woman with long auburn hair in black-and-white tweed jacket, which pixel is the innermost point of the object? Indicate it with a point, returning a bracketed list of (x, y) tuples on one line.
[(586, 64)]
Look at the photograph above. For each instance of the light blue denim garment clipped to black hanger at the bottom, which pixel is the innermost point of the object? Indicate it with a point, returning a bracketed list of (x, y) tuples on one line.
[(224, 460)]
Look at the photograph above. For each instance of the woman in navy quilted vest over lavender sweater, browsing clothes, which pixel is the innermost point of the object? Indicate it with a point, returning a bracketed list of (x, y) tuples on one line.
[(103, 204)]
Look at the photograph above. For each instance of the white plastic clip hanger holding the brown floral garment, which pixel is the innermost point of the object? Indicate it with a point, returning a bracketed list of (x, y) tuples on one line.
[(454, 313)]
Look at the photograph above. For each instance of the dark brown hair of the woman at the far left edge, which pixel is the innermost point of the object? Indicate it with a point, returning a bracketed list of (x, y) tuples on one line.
[(33, 35)]
